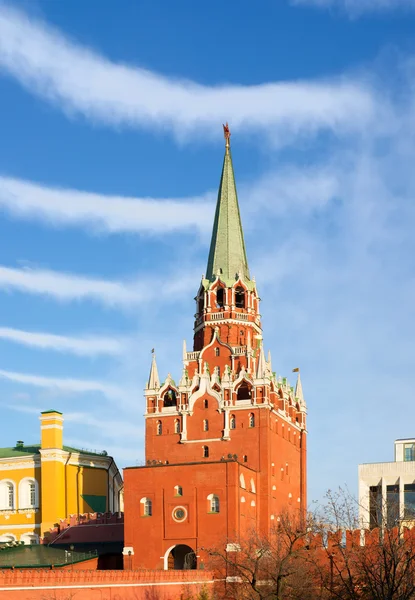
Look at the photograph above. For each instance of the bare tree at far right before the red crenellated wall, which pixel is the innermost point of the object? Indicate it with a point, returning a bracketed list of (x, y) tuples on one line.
[(363, 565)]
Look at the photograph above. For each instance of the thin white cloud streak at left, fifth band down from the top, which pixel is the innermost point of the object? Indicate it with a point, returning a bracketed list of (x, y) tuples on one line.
[(77, 386)]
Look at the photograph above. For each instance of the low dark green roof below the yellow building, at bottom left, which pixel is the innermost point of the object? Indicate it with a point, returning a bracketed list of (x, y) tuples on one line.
[(38, 555)]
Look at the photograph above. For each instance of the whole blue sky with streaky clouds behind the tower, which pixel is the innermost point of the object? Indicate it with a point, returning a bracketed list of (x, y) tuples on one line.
[(110, 157)]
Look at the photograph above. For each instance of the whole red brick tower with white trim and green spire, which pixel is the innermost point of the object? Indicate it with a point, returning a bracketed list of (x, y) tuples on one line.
[(226, 446)]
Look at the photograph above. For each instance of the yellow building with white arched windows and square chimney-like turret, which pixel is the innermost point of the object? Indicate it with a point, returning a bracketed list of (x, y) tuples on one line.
[(46, 482)]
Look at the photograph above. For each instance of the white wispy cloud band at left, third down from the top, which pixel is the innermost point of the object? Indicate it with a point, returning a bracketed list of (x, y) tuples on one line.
[(68, 287)]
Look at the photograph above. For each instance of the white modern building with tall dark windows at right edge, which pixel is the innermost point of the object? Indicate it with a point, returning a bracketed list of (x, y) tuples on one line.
[(387, 490)]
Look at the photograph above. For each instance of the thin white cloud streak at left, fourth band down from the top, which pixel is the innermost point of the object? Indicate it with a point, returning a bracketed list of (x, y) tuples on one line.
[(82, 346)]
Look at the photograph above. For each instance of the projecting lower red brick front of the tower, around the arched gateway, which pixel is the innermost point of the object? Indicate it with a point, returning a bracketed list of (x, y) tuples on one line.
[(200, 529)]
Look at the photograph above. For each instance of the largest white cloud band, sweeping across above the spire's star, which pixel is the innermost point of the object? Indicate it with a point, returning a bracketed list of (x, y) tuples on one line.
[(81, 81)]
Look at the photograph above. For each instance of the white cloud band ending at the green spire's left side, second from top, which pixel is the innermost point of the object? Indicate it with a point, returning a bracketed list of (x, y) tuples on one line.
[(31, 201)]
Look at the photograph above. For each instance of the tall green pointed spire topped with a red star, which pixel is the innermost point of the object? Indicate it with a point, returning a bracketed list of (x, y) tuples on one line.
[(227, 253)]
